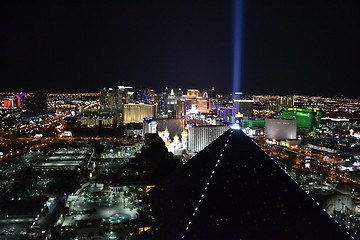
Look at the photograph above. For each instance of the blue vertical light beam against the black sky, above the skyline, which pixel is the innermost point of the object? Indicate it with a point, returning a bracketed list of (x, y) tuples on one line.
[(237, 43)]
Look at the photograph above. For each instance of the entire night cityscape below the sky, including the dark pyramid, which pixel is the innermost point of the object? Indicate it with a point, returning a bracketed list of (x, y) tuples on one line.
[(136, 164)]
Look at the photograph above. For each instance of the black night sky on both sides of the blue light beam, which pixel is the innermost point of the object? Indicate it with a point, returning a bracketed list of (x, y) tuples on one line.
[(289, 47)]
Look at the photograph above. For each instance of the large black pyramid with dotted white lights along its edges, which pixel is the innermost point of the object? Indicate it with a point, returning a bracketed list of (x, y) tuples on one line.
[(233, 190)]
